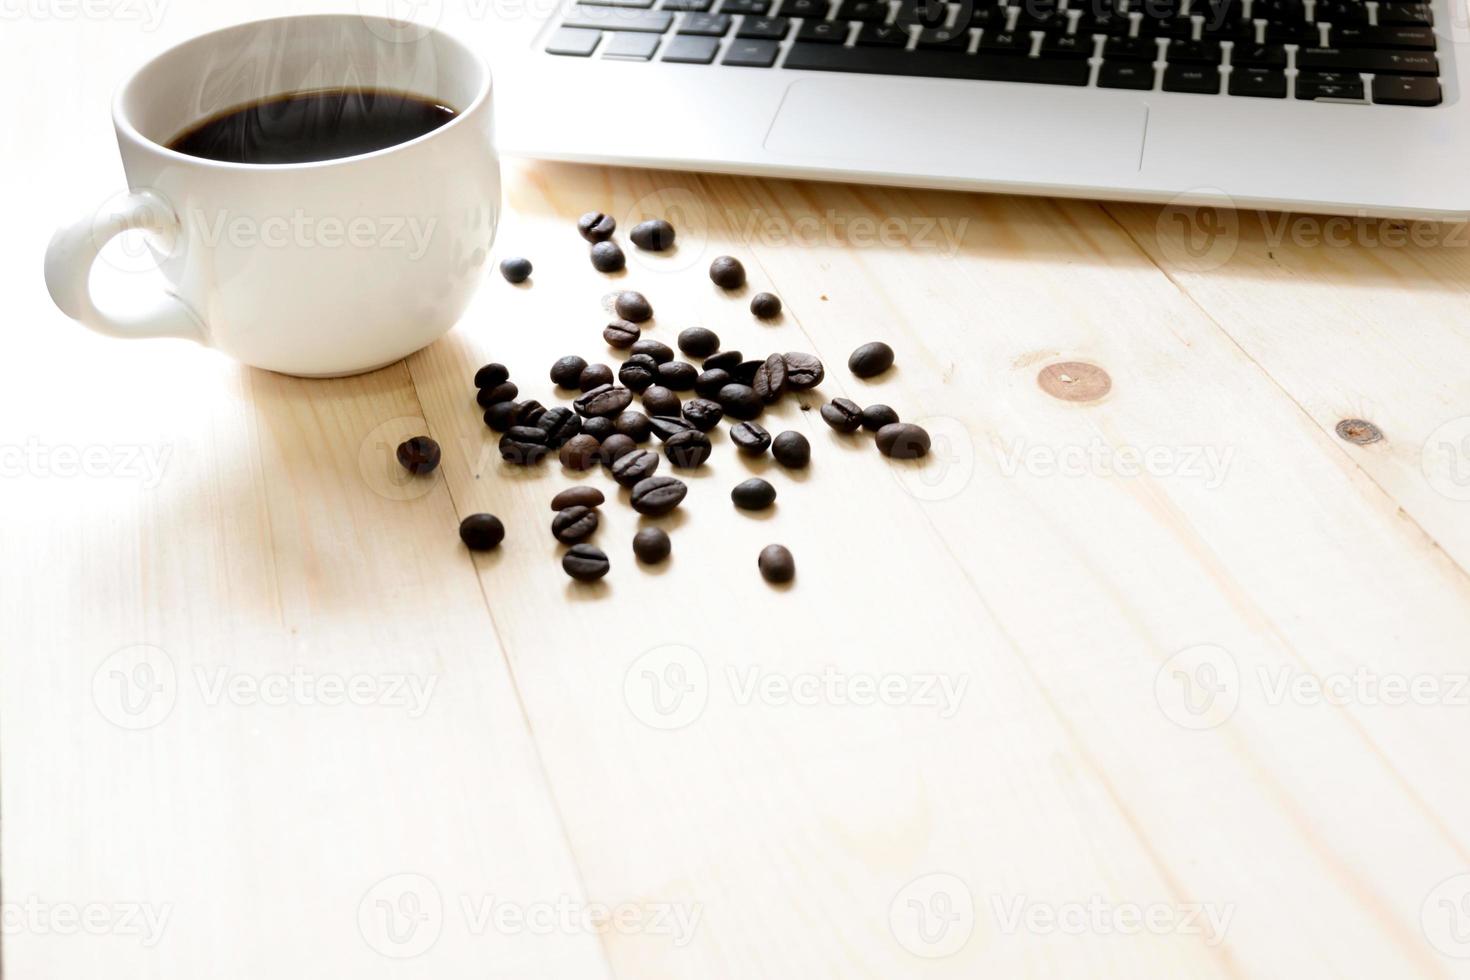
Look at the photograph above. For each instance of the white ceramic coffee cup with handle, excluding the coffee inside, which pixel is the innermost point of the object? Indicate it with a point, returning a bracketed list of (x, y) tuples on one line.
[(315, 270)]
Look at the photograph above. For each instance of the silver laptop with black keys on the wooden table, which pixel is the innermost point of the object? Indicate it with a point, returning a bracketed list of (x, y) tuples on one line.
[(1330, 107)]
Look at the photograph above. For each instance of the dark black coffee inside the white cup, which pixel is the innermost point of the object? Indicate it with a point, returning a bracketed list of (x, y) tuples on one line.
[(312, 127)]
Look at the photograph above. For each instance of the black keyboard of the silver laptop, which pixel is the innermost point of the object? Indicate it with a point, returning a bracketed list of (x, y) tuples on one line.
[(1340, 51)]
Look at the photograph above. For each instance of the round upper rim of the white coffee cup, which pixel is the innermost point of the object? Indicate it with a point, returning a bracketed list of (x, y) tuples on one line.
[(126, 127)]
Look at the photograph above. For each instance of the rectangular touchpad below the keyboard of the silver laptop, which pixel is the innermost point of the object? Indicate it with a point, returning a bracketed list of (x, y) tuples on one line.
[(958, 129)]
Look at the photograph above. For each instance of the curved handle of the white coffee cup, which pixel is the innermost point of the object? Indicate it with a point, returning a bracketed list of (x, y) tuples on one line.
[(74, 251)]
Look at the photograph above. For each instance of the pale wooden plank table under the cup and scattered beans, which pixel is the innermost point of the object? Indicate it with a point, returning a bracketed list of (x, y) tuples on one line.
[(1046, 705)]
